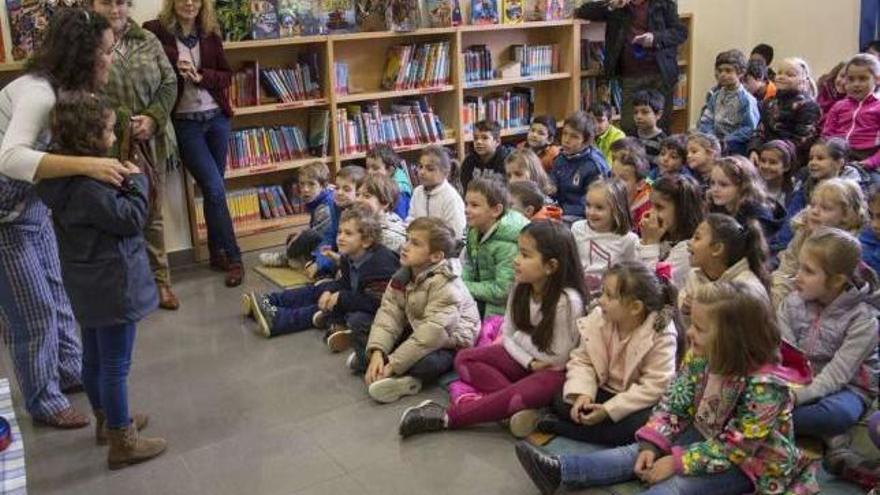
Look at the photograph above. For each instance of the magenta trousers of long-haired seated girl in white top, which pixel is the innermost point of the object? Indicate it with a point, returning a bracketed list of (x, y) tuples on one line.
[(506, 386)]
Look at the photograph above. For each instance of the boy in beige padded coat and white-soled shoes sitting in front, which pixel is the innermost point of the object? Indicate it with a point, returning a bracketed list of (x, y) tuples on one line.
[(426, 315)]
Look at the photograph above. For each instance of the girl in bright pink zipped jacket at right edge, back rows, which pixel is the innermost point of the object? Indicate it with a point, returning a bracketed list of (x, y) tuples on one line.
[(856, 118)]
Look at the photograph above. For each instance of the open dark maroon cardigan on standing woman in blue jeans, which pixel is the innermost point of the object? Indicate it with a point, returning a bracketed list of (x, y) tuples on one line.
[(215, 71)]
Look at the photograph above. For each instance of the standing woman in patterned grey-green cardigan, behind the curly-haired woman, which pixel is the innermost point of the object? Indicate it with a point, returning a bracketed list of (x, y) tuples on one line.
[(143, 88)]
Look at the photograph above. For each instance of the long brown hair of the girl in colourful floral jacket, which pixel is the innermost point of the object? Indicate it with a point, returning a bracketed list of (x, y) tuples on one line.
[(744, 333)]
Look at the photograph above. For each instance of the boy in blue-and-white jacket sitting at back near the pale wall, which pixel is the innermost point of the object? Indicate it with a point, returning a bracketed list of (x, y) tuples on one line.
[(731, 112)]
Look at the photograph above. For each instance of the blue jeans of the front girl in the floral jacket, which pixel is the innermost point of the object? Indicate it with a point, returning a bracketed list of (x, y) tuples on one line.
[(611, 466)]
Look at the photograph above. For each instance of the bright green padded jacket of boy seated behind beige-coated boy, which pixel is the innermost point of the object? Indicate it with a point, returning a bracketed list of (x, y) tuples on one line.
[(488, 268)]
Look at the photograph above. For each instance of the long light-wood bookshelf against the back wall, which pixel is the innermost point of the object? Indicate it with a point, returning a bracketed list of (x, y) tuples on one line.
[(557, 93)]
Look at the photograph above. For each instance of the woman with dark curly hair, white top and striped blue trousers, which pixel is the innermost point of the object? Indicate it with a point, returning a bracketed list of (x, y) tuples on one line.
[(36, 319)]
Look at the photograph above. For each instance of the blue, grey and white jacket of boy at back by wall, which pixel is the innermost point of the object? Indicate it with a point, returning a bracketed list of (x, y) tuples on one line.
[(735, 132)]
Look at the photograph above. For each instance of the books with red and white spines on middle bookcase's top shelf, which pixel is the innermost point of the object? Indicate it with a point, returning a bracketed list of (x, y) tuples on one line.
[(414, 66)]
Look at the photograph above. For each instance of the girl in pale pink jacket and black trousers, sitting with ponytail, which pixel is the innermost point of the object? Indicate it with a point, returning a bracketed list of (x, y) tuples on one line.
[(624, 362)]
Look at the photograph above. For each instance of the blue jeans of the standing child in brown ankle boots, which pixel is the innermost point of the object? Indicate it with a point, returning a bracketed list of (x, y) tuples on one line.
[(106, 361)]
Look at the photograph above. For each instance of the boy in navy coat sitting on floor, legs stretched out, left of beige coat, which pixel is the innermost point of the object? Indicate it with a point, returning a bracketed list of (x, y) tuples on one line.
[(365, 266)]
